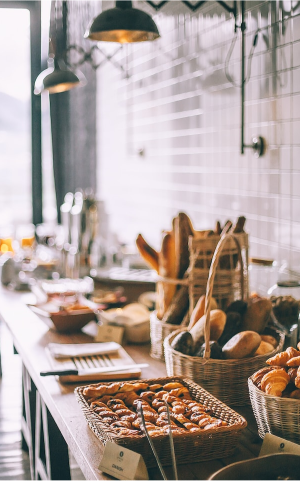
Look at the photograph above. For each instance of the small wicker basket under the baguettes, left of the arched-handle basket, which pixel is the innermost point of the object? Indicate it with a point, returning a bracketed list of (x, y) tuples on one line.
[(158, 332)]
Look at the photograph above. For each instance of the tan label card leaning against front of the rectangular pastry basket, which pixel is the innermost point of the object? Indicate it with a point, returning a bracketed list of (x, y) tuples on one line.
[(123, 464)]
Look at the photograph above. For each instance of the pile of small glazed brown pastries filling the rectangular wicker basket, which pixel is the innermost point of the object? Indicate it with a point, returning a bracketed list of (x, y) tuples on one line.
[(119, 413)]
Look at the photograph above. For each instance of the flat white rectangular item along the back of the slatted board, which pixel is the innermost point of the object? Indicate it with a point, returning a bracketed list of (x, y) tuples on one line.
[(62, 351)]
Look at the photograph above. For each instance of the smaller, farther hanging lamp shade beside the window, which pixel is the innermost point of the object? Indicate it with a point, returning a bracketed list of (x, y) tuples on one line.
[(57, 78)]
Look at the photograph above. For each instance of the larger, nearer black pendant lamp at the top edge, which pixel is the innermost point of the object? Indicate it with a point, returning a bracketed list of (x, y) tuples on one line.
[(123, 24)]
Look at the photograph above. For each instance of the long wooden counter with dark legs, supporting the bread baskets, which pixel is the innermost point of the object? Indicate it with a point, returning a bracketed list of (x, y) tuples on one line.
[(30, 336)]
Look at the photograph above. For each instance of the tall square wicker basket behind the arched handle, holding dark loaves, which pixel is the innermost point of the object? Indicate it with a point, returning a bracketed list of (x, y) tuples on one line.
[(227, 285)]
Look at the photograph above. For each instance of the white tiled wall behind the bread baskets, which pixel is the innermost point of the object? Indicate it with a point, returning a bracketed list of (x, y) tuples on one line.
[(169, 135)]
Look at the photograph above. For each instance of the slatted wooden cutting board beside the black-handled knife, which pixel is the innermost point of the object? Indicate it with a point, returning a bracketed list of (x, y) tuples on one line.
[(119, 358)]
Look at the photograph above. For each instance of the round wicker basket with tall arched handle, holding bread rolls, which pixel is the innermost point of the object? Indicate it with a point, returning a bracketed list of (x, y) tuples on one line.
[(225, 379)]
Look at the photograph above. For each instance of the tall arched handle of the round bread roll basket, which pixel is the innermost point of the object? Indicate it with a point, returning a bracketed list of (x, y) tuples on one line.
[(210, 283)]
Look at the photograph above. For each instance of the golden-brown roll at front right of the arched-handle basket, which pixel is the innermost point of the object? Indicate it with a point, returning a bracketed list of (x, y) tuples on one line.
[(243, 344)]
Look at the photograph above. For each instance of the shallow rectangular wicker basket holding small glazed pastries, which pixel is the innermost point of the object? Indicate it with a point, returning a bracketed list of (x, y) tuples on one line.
[(189, 447)]
